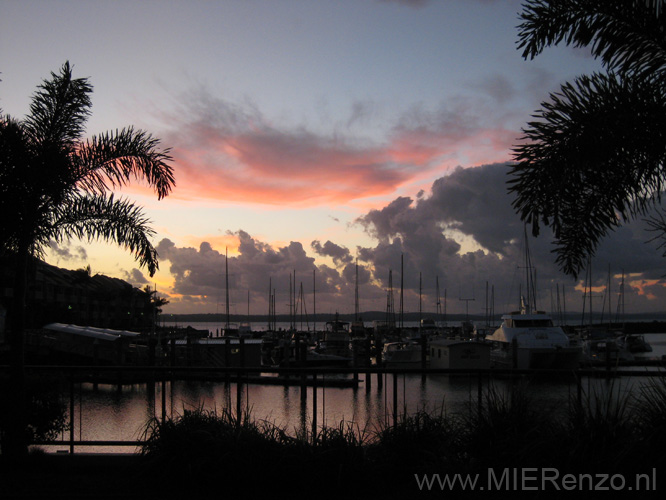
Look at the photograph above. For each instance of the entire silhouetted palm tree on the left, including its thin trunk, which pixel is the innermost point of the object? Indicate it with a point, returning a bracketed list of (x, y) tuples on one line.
[(54, 185)]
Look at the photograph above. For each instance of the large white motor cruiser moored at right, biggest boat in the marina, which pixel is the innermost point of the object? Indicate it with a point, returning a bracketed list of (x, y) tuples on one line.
[(528, 341)]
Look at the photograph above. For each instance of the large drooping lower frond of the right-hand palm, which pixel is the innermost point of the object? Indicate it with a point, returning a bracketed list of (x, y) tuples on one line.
[(595, 156)]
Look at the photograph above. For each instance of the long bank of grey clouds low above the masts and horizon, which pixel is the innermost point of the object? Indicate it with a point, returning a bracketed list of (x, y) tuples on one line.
[(462, 234)]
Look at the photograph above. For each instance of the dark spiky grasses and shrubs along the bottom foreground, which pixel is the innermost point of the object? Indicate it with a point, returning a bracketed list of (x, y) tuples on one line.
[(609, 433)]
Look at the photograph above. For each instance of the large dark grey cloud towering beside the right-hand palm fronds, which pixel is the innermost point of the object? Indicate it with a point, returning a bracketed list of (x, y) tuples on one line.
[(475, 202)]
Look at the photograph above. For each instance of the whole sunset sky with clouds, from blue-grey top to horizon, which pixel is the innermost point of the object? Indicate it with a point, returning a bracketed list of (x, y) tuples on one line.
[(310, 137)]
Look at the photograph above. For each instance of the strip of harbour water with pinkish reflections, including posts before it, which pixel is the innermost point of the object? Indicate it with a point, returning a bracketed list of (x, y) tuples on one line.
[(107, 412)]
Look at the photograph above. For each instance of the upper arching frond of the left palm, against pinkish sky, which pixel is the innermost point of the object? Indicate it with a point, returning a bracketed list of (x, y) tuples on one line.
[(113, 159)]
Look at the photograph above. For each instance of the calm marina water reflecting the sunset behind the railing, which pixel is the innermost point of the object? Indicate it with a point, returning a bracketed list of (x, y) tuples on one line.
[(108, 413)]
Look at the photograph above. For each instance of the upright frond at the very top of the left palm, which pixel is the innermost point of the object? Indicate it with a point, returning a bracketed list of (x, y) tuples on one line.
[(59, 109)]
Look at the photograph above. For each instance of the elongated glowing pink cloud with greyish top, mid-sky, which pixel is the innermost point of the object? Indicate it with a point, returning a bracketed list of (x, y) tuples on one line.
[(226, 153)]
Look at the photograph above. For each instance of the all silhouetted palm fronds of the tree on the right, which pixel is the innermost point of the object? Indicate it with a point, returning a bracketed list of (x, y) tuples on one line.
[(595, 155)]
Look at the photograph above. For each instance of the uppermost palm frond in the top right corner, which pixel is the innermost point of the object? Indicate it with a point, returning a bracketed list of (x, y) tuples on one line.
[(628, 36)]
